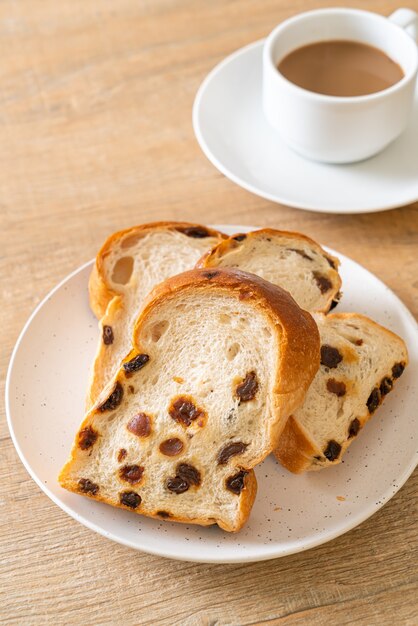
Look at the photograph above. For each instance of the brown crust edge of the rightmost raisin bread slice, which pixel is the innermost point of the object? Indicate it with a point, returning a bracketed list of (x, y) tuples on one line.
[(296, 450)]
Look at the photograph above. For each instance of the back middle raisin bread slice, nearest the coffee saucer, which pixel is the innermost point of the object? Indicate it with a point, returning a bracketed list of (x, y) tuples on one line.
[(290, 260)]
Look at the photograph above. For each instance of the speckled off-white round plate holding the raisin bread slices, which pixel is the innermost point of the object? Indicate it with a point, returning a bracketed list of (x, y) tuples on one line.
[(45, 393)]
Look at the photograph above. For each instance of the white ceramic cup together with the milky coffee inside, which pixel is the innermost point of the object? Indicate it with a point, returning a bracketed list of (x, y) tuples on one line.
[(345, 127)]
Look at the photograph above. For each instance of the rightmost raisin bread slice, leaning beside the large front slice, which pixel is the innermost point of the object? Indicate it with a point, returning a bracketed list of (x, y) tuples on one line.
[(360, 362)]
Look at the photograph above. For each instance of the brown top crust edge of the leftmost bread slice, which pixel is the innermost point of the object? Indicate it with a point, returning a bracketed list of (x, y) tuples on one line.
[(100, 292)]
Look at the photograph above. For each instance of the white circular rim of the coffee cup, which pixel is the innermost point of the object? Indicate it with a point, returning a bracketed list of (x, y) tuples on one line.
[(275, 33)]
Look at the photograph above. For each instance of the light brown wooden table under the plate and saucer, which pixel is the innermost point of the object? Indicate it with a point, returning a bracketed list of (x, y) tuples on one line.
[(95, 114)]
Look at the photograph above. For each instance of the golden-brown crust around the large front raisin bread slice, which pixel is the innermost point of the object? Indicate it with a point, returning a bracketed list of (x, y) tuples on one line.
[(298, 364)]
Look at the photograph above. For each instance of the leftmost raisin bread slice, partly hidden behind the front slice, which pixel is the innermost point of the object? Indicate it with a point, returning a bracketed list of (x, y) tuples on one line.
[(128, 266)]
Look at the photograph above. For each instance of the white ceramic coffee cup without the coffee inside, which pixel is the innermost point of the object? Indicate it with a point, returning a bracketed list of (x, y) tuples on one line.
[(340, 129)]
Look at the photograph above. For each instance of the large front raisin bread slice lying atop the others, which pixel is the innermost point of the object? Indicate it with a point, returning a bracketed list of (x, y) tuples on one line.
[(219, 360)]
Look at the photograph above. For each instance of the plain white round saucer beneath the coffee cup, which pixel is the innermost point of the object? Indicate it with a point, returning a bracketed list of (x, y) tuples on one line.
[(230, 127)]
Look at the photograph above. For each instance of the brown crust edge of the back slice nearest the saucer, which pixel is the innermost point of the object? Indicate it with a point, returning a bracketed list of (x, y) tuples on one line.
[(210, 258)]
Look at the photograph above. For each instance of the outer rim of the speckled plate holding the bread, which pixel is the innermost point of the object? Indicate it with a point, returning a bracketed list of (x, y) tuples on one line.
[(265, 553)]
